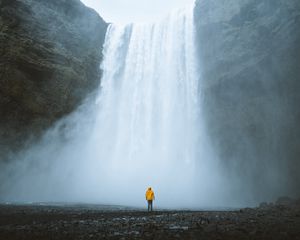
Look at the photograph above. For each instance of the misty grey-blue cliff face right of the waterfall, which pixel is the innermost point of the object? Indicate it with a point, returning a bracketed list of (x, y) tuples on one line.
[(250, 55)]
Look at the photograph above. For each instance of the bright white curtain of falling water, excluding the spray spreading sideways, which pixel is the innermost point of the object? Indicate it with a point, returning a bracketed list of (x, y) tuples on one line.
[(147, 127)]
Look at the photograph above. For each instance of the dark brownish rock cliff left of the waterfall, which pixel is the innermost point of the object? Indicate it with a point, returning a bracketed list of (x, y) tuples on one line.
[(50, 53)]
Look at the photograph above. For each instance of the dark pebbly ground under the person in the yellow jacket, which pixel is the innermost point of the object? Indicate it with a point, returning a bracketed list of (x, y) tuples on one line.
[(269, 221)]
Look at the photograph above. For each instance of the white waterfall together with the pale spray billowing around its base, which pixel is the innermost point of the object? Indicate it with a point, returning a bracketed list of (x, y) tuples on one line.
[(145, 129)]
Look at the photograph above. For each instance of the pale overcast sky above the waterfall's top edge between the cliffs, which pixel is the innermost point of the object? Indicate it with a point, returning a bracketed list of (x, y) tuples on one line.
[(126, 11)]
